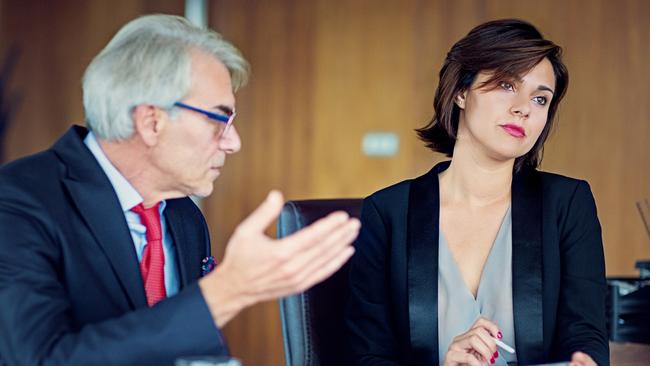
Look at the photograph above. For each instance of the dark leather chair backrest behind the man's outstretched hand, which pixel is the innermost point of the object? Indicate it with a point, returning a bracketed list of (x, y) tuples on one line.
[(312, 321)]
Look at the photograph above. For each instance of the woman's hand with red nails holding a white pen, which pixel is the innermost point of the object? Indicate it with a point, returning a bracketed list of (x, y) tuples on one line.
[(474, 347)]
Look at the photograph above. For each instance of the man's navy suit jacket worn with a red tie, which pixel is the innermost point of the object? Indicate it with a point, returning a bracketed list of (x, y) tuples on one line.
[(71, 292)]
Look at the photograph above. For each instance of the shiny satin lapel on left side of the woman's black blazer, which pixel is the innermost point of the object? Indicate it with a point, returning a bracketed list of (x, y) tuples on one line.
[(422, 258)]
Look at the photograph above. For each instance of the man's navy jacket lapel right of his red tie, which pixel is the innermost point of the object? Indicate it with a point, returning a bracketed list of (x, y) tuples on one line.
[(186, 253)]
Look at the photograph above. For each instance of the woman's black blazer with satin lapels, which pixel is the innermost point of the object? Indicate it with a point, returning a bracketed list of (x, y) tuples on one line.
[(557, 264)]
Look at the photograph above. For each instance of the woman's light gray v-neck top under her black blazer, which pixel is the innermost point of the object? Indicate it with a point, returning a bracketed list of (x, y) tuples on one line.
[(457, 308)]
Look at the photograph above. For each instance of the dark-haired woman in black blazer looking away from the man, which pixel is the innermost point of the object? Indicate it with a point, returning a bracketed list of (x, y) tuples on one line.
[(483, 247)]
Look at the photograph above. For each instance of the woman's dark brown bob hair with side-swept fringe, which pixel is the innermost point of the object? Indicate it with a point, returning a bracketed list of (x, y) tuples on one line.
[(506, 48)]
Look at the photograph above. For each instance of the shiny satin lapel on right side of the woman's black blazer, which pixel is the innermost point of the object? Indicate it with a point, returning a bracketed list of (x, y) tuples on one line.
[(527, 266)]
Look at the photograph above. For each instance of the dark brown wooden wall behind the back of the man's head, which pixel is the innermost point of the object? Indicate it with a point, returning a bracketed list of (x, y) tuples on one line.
[(56, 40)]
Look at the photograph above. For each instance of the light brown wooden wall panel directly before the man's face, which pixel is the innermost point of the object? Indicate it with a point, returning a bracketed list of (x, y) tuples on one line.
[(277, 38)]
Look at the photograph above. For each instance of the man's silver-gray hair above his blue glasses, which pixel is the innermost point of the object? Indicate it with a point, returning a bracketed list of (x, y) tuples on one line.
[(148, 61)]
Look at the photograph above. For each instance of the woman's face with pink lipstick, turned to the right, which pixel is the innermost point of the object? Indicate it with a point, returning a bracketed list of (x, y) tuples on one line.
[(503, 121)]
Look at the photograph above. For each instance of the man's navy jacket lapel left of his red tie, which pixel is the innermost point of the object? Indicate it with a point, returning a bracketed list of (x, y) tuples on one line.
[(99, 207)]
